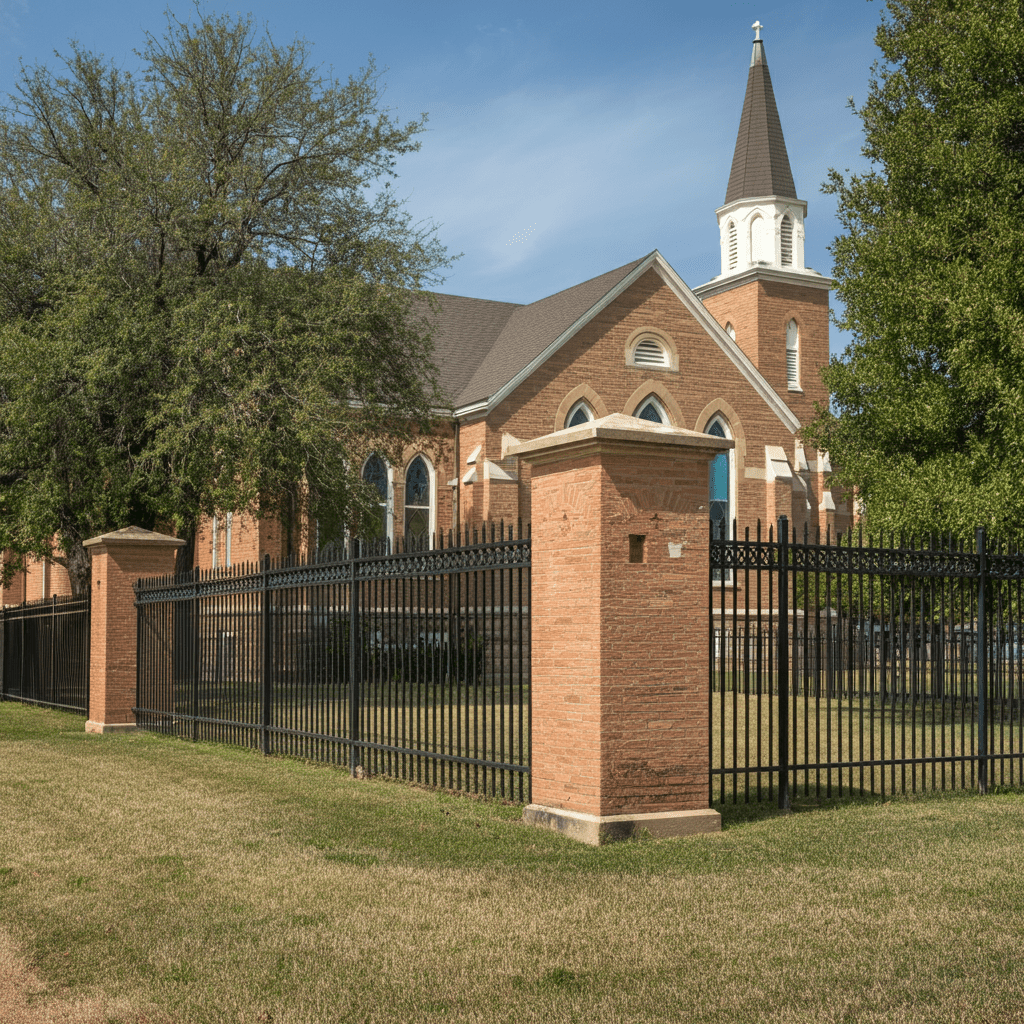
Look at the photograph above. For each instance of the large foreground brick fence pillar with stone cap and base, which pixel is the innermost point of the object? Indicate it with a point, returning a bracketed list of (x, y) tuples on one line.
[(620, 629)]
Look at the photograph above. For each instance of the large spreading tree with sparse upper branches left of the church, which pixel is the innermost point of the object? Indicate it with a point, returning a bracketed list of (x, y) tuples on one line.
[(207, 290)]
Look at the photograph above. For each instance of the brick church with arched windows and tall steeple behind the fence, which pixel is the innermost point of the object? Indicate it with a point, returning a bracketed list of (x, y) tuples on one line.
[(739, 357)]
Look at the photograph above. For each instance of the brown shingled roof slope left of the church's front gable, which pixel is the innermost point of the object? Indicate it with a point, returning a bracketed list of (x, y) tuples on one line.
[(481, 346)]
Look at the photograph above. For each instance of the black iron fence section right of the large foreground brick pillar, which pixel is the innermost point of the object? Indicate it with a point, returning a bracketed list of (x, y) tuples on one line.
[(849, 667)]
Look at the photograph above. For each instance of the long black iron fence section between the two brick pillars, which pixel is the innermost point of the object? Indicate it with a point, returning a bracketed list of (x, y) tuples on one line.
[(413, 664)]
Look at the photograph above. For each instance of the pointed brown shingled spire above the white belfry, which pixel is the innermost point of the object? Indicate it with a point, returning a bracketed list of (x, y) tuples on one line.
[(760, 165)]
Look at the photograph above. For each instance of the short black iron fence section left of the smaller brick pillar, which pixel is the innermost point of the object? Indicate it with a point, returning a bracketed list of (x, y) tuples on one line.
[(46, 654)]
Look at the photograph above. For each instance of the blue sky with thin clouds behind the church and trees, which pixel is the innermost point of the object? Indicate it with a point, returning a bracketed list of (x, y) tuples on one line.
[(564, 140)]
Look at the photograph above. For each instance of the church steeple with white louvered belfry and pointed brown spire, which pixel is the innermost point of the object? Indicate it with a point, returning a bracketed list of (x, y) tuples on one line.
[(762, 223)]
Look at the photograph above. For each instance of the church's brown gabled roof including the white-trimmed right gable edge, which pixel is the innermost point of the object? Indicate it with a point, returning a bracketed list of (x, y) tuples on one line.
[(485, 351)]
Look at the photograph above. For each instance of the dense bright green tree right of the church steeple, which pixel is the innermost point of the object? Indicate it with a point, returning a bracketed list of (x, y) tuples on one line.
[(928, 401)]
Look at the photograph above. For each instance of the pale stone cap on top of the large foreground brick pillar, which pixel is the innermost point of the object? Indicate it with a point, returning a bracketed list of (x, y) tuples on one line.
[(614, 434)]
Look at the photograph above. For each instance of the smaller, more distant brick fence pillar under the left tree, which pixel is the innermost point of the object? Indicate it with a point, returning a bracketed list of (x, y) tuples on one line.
[(118, 561)]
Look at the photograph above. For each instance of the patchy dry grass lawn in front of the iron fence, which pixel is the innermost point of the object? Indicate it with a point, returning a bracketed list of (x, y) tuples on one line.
[(147, 880)]
